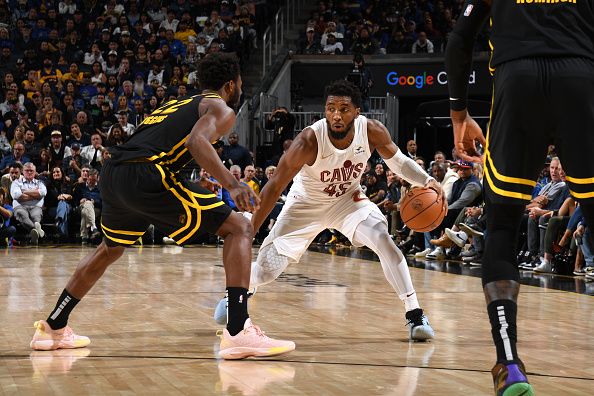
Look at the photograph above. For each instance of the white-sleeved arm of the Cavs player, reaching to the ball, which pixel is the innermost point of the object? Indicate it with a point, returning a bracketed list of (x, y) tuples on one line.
[(400, 164)]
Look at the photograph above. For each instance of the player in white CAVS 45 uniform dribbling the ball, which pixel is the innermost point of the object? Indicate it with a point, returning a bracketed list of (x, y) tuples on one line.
[(326, 161)]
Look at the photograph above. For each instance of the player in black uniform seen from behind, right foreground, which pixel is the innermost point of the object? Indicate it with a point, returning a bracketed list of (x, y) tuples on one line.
[(543, 68)]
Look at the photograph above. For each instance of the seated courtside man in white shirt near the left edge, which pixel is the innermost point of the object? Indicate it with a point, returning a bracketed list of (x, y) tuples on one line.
[(28, 194)]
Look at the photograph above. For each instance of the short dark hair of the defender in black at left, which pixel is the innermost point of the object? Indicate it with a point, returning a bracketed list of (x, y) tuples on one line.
[(216, 69)]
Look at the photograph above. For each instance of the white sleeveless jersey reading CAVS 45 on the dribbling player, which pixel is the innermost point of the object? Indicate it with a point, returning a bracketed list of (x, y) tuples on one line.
[(335, 172)]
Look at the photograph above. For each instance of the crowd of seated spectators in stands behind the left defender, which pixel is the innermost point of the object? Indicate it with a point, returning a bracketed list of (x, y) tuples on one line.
[(78, 77)]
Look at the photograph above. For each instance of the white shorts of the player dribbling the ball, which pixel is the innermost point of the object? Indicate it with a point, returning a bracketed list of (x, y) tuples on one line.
[(300, 221)]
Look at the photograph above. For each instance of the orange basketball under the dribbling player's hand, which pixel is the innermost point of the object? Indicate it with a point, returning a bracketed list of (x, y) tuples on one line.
[(421, 211)]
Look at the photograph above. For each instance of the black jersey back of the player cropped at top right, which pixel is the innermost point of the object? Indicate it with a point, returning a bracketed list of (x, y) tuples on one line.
[(540, 28)]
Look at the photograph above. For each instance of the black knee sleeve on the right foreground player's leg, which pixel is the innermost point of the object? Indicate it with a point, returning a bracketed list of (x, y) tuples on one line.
[(501, 238)]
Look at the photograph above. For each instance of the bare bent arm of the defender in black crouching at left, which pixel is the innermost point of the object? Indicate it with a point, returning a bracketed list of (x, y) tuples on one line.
[(216, 121)]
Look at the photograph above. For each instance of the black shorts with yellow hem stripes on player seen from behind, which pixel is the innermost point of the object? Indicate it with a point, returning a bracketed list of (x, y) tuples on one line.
[(536, 102)]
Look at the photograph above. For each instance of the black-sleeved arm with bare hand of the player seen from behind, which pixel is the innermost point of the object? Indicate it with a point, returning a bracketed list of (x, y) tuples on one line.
[(458, 65)]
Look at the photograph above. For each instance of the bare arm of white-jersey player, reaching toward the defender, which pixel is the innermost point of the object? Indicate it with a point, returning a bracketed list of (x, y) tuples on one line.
[(303, 150)]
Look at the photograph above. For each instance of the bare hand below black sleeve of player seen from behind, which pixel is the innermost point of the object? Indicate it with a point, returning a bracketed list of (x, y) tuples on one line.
[(466, 134)]
